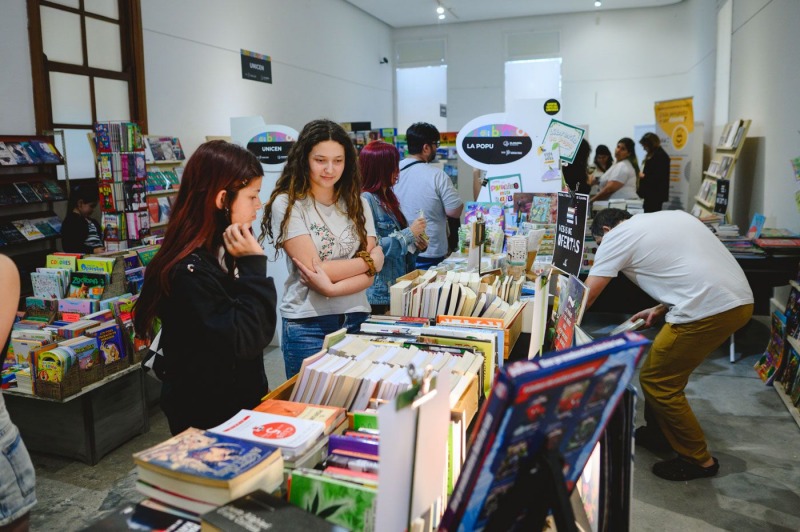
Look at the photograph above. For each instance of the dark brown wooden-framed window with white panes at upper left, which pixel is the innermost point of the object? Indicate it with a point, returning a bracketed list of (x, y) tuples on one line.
[(88, 66)]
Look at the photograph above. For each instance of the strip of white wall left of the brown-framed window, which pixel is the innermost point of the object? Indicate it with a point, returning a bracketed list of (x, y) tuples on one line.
[(16, 86)]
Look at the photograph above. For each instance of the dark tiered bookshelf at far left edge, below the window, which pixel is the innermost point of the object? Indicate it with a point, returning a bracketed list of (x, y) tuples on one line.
[(29, 193)]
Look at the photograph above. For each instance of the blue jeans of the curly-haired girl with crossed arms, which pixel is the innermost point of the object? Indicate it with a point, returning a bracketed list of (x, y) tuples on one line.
[(303, 337)]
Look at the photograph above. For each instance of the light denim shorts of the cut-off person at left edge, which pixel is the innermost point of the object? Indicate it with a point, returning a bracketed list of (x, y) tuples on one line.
[(17, 477)]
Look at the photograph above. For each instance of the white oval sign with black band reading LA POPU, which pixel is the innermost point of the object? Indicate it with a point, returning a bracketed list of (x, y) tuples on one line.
[(496, 144)]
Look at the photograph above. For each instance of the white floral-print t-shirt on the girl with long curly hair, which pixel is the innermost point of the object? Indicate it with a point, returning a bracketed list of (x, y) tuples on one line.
[(335, 237)]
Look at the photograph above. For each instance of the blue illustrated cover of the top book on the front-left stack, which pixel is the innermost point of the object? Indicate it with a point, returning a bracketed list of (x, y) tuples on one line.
[(197, 453)]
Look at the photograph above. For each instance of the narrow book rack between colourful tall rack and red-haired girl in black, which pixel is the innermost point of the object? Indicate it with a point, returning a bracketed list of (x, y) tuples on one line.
[(164, 159)]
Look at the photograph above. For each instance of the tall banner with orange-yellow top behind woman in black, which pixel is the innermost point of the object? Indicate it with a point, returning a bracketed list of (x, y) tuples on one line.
[(675, 128)]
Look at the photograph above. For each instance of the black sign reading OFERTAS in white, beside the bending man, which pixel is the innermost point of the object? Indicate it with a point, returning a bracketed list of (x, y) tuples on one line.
[(570, 231)]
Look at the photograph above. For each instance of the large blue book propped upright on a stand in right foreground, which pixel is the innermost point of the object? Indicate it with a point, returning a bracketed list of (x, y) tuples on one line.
[(561, 402)]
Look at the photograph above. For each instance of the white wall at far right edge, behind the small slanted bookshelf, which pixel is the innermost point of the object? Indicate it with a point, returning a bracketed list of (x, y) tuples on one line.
[(765, 78)]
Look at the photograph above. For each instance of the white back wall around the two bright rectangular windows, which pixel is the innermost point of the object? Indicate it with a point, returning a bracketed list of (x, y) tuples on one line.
[(615, 65)]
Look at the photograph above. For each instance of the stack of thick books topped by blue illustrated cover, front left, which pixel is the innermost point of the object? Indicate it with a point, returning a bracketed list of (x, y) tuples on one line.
[(197, 470)]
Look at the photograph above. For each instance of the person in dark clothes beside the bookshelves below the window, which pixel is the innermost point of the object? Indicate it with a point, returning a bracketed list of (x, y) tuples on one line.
[(80, 233)]
